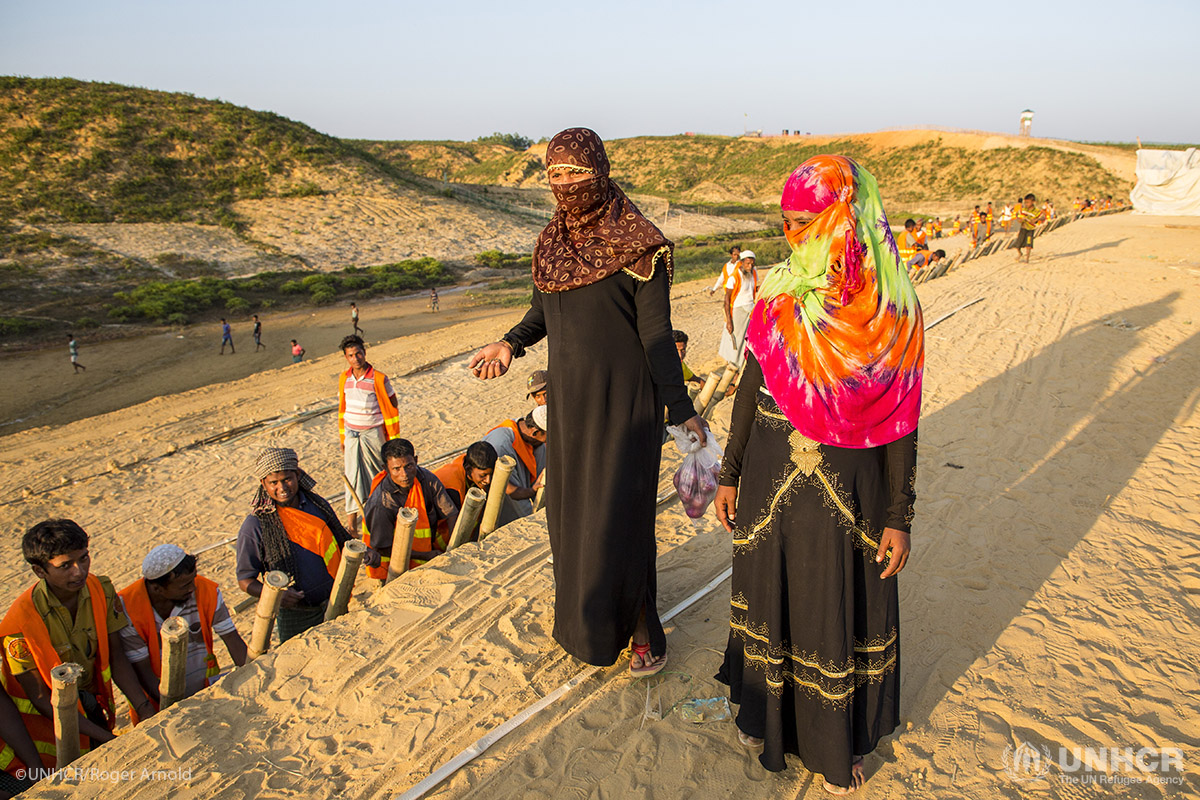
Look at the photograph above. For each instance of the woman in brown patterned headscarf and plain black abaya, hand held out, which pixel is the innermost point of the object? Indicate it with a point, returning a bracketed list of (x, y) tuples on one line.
[(603, 299)]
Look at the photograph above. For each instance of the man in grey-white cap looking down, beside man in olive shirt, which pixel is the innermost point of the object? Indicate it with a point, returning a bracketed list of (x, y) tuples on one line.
[(170, 587)]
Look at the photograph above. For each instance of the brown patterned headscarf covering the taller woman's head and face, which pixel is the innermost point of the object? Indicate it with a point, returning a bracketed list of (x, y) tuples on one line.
[(596, 231)]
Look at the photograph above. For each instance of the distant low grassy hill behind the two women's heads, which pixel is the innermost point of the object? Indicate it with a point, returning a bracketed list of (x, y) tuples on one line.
[(725, 170)]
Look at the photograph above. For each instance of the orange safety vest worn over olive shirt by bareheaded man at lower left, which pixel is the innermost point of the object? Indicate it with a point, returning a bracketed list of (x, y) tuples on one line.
[(23, 618)]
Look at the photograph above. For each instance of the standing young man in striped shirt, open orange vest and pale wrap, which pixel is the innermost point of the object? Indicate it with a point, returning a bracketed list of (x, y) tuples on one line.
[(368, 416)]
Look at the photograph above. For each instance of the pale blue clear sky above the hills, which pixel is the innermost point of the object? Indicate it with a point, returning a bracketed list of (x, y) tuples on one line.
[(439, 70)]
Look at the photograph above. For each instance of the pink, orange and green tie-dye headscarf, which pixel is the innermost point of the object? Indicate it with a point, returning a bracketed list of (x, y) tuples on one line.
[(837, 328)]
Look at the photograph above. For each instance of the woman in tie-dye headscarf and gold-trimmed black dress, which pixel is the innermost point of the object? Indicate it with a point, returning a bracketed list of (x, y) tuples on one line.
[(818, 482)]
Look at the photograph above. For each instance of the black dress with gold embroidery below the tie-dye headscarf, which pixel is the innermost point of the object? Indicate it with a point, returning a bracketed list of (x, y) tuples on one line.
[(814, 649)]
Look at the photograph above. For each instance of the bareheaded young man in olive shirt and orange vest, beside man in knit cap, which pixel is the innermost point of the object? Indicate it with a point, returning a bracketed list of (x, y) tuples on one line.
[(68, 616)]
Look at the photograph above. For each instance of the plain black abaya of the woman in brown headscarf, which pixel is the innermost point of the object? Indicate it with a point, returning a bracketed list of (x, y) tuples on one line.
[(614, 366)]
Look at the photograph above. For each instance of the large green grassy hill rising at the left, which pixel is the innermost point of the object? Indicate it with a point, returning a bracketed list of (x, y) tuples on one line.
[(77, 152)]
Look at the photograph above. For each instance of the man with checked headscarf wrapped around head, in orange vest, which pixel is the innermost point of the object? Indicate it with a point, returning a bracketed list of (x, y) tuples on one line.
[(292, 530)]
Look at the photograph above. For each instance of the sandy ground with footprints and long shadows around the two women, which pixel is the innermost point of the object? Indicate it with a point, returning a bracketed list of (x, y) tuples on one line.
[(1051, 600)]
